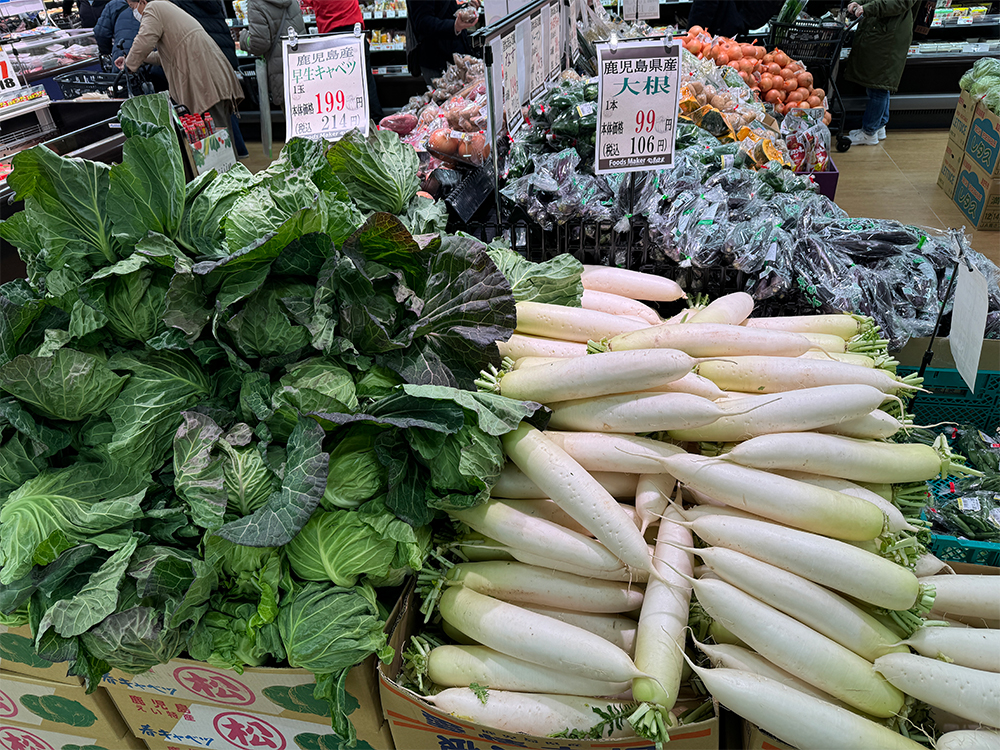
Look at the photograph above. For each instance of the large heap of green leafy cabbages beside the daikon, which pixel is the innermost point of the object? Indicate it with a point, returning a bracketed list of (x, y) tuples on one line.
[(230, 408)]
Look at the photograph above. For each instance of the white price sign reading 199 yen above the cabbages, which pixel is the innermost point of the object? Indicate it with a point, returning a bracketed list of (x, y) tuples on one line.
[(326, 93)]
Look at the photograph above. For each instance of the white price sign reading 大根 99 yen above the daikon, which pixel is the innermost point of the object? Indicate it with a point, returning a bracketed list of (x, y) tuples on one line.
[(638, 85)]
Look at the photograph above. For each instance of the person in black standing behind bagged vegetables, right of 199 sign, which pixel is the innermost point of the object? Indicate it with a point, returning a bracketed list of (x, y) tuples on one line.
[(440, 32)]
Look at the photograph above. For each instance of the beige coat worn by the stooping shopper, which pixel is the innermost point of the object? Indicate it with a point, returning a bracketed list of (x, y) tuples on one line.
[(198, 73)]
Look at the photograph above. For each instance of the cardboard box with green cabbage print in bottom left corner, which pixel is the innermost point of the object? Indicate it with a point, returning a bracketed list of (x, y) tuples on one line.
[(56, 707)]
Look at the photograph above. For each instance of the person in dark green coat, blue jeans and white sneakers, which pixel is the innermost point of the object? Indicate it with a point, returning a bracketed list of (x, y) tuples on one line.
[(877, 59)]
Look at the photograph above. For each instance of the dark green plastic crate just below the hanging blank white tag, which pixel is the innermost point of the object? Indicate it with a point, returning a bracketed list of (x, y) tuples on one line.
[(950, 400)]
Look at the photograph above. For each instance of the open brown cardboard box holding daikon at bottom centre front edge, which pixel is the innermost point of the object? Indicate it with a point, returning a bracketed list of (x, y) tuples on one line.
[(417, 725)]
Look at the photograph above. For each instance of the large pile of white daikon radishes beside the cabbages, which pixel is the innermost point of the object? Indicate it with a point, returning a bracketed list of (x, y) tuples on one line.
[(574, 605)]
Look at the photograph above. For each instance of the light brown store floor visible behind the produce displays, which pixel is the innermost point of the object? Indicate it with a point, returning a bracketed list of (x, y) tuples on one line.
[(895, 180)]
